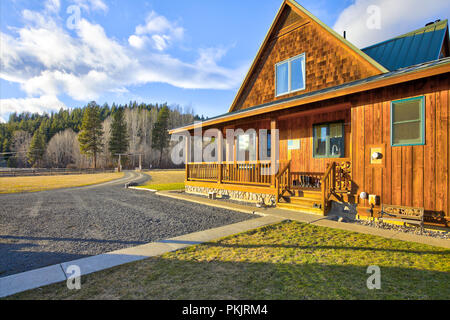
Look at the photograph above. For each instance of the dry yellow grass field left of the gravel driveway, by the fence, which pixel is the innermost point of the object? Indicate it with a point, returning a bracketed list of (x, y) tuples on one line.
[(40, 183)]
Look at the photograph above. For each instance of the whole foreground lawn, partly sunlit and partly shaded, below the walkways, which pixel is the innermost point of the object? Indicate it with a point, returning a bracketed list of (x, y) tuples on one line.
[(290, 260)]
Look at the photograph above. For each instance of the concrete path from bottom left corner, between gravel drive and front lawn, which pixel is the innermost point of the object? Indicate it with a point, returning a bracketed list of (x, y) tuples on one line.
[(57, 273)]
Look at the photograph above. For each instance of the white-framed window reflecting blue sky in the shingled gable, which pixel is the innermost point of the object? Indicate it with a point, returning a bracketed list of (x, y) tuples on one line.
[(290, 75)]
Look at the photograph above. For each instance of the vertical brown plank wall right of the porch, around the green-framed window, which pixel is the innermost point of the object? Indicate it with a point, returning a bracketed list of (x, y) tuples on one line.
[(412, 175)]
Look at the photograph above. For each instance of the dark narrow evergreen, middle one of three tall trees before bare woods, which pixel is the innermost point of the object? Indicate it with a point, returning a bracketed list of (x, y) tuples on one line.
[(119, 140)]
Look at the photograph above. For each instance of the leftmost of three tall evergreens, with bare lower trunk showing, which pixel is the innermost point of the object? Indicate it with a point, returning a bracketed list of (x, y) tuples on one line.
[(91, 134)]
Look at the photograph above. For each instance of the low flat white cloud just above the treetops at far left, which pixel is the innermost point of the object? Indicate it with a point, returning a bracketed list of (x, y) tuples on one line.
[(39, 105)]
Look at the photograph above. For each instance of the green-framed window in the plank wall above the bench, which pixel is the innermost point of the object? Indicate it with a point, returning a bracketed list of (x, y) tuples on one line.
[(407, 122)]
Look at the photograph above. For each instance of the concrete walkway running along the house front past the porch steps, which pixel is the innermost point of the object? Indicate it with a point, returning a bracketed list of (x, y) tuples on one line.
[(310, 218)]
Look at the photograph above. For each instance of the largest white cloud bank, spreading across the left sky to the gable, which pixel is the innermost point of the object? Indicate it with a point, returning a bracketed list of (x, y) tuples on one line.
[(48, 60)]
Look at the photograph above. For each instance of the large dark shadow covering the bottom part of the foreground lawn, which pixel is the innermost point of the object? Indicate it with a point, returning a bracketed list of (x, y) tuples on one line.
[(170, 278)]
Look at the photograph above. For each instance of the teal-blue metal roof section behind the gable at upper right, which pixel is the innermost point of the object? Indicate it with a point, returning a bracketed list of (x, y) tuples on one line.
[(419, 46)]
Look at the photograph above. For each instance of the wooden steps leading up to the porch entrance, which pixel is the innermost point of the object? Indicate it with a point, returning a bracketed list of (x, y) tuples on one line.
[(308, 201)]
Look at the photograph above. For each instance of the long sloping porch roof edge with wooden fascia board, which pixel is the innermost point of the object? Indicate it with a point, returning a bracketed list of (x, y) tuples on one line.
[(415, 72)]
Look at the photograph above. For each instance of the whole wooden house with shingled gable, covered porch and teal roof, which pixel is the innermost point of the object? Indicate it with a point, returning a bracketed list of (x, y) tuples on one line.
[(350, 122)]
